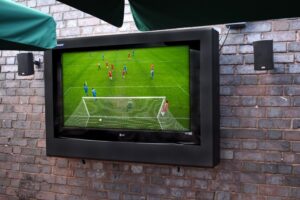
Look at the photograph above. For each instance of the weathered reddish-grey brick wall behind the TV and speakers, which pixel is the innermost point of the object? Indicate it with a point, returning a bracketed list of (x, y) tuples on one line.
[(260, 117)]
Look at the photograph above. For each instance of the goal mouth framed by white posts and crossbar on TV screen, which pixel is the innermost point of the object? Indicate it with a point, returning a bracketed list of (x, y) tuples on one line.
[(136, 110)]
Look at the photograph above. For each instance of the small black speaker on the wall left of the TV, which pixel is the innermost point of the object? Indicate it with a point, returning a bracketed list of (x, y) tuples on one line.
[(25, 64)]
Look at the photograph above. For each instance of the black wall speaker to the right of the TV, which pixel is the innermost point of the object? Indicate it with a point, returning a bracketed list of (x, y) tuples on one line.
[(263, 55)]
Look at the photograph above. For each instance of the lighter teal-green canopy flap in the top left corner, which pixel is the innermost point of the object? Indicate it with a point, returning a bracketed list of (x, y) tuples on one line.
[(23, 28)]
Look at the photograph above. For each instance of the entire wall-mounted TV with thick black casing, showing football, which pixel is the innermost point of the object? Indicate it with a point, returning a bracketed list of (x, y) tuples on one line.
[(143, 97)]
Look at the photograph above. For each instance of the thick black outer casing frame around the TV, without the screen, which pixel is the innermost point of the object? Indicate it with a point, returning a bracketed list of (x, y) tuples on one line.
[(205, 154)]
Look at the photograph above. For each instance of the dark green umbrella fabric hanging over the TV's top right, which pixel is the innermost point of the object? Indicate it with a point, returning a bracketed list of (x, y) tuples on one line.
[(156, 15)]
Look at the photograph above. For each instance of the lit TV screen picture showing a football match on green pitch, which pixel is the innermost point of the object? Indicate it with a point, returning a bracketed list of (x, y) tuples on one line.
[(134, 96)]
